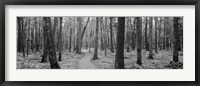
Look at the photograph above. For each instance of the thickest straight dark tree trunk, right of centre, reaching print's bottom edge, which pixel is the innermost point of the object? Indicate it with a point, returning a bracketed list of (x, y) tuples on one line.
[(119, 57)]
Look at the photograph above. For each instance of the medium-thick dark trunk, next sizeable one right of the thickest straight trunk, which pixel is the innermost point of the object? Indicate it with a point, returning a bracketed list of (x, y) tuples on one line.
[(139, 39)]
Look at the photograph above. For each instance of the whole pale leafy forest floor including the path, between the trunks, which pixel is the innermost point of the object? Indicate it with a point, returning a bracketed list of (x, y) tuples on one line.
[(71, 60)]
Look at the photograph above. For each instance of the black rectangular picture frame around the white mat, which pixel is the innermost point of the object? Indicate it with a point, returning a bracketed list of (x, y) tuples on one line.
[(98, 2)]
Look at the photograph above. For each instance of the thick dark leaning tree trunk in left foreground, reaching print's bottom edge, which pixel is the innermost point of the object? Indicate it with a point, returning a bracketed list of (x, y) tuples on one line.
[(48, 32)]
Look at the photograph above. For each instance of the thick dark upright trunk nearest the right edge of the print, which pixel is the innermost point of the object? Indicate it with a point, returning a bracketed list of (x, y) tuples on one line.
[(177, 39)]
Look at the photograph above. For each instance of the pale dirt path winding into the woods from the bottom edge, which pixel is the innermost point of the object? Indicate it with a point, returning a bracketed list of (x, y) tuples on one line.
[(86, 63)]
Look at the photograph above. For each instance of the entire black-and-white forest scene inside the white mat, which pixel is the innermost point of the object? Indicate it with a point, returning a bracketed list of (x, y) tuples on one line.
[(102, 42)]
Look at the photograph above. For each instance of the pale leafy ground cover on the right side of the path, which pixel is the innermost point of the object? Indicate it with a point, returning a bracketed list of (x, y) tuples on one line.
[(161, 59)]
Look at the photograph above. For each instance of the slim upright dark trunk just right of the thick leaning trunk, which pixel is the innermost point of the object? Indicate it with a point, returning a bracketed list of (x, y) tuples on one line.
[(60, 41)]
